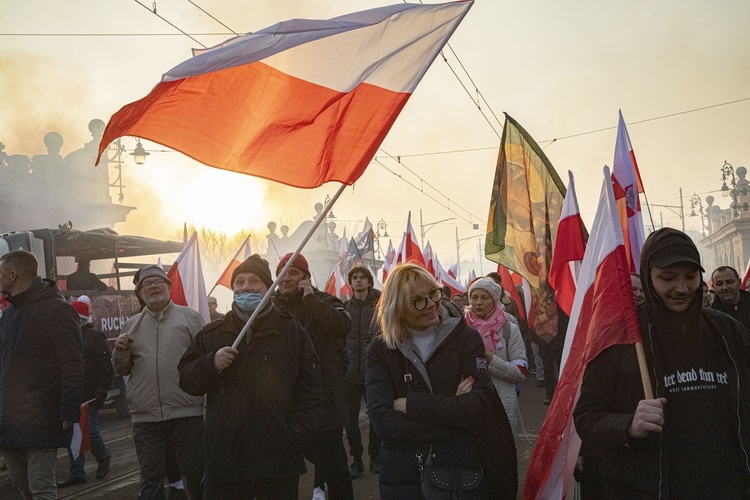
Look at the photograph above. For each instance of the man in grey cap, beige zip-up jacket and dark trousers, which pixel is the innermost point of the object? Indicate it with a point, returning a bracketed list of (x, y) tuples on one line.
[(149, 349)]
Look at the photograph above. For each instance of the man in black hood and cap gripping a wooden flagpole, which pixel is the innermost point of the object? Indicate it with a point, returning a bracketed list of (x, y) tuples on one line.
[(692, 441)]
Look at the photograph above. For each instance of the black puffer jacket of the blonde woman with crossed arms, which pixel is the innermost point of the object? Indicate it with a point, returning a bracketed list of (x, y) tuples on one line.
[(456, 427)]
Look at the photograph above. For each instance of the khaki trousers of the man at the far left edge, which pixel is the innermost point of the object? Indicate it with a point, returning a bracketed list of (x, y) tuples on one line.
[(33, 472)]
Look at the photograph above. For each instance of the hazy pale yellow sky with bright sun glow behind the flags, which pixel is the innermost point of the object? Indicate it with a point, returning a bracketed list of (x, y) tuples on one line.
[(678, 70)]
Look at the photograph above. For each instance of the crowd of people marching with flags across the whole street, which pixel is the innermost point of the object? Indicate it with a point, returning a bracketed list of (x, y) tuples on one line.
[(221, 418)]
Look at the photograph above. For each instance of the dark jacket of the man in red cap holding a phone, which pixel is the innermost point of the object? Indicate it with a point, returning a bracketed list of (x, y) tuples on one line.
[(323, 317)]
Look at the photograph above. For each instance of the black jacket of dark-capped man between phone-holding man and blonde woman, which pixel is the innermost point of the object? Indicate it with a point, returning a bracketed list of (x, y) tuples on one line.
[(361, 312)]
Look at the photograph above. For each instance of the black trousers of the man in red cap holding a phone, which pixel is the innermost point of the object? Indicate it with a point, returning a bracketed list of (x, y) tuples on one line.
[(325, 450)]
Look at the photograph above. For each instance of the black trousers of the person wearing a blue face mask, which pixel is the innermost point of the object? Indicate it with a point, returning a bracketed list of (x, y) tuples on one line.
[(259, 489)]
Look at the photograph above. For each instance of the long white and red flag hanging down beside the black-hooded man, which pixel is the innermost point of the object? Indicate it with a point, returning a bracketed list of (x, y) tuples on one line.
[(603, 315)]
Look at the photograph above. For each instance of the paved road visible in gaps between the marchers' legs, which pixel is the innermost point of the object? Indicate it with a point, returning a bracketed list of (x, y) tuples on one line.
[(122, 481)]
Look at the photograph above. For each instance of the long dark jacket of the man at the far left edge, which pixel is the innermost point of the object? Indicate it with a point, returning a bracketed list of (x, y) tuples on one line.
[(41, 376)]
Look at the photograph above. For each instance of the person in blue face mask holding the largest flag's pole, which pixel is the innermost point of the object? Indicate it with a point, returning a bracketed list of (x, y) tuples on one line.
[(262, 398)]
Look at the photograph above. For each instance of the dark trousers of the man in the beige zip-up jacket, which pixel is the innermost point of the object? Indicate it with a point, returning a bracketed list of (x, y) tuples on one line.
[(152, 439)]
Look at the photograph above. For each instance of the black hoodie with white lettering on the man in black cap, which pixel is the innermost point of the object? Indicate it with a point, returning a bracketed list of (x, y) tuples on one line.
[(611, 389)]
